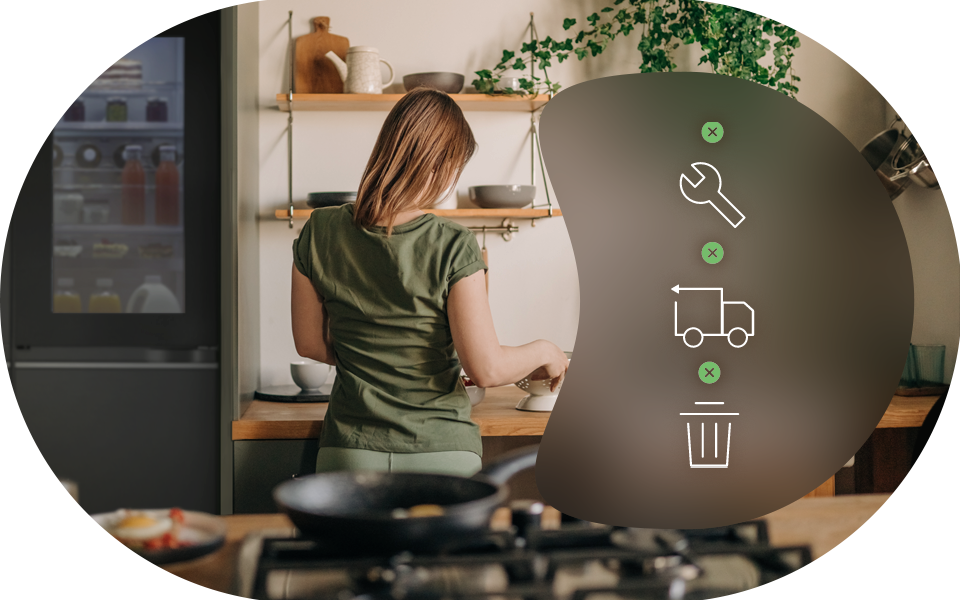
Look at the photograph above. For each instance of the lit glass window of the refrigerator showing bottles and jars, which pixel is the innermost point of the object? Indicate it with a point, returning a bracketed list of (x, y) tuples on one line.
[(118, 145)]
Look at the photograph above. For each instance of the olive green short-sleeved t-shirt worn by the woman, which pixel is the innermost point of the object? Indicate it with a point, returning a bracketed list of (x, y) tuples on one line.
[(398, 383)]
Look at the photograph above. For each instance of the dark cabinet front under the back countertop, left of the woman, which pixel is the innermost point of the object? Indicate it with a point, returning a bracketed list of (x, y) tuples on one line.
[(261, 465)]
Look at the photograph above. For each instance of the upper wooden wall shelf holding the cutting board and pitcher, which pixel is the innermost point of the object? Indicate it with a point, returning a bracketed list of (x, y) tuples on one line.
[(383, 102)]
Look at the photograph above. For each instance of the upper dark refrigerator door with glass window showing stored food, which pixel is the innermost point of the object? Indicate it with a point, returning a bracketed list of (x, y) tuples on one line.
[(116, 230)]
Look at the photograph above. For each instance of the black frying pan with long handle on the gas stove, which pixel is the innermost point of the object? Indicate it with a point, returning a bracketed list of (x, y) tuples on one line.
[(353, 510)]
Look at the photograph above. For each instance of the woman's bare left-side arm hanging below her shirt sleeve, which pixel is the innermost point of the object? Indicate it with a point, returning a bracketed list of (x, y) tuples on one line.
[(311, 326)]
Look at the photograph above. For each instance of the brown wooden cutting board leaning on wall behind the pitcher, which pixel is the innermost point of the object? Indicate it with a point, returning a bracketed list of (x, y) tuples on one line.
[(314, 73)]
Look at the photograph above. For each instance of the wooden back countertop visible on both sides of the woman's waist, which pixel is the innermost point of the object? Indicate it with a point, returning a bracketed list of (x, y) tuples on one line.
[(496, 415)]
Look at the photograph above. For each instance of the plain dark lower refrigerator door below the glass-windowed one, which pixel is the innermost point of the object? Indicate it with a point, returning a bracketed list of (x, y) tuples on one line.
[(130, 437)]
